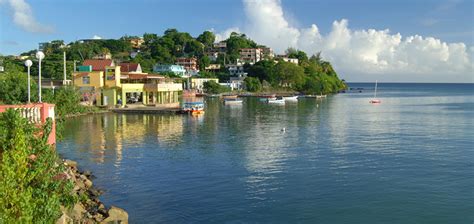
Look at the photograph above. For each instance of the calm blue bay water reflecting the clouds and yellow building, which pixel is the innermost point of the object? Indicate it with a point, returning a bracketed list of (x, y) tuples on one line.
[(341, 160)]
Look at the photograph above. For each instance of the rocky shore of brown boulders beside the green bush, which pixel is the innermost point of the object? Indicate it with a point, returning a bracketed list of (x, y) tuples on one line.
[(88, 209)]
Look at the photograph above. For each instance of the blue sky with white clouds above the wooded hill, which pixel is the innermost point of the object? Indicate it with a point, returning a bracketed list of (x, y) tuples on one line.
[(365, 40)]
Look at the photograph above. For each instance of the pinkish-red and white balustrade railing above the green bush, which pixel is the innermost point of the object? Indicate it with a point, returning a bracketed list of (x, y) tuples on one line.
[(37, 114)]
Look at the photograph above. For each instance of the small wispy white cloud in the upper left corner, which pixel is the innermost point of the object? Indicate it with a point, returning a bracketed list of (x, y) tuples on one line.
[(23, 17)]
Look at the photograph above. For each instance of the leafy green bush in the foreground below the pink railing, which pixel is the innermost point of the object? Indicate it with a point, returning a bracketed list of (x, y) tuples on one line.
[(31, 187)]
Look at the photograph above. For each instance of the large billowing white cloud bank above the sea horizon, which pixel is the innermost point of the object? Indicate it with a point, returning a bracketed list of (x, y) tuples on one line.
[(359, 55)]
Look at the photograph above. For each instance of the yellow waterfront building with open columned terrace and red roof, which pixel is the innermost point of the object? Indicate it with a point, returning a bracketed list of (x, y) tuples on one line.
[(103, 83)]
